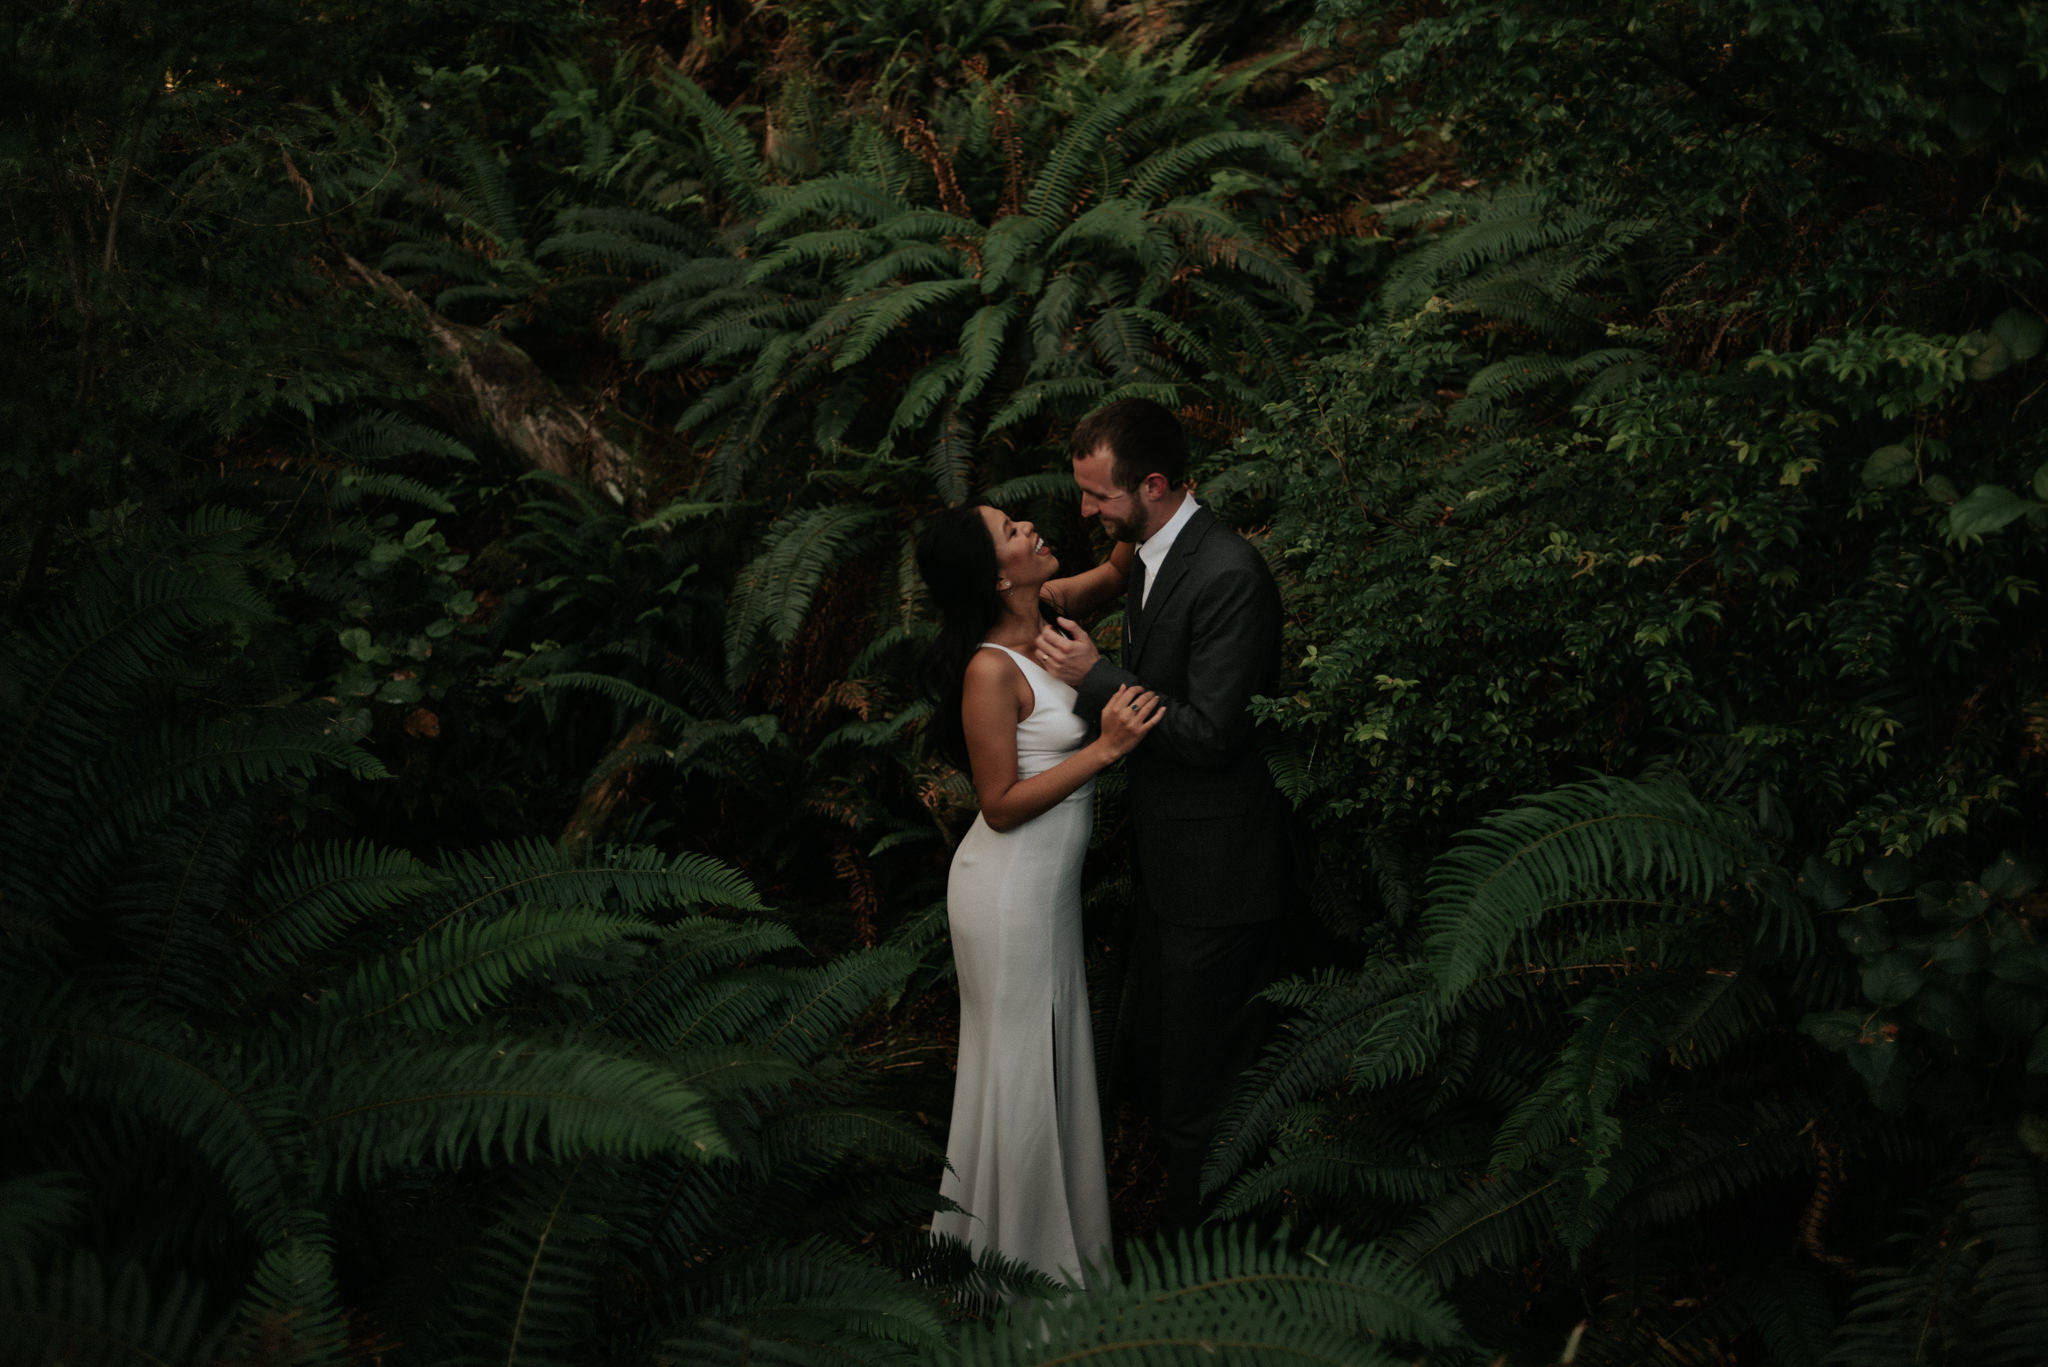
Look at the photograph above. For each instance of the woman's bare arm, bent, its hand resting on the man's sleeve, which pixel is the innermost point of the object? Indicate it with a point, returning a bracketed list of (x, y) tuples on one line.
[(996, 700)]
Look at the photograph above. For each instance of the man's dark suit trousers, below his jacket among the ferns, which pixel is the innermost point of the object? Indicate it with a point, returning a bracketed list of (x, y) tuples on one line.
[(1187, 1028)]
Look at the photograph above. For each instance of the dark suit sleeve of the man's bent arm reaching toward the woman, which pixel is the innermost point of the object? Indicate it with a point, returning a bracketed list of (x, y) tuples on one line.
[(1234, 638)]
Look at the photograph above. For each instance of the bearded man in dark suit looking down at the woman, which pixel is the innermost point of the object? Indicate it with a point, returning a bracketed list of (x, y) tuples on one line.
[(1209, 831)]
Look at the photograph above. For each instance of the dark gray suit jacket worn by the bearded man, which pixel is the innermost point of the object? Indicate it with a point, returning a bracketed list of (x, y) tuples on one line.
[(1209, 831)]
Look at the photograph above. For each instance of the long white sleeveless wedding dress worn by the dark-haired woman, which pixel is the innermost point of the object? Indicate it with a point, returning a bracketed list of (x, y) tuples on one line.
[(1025, 1149)]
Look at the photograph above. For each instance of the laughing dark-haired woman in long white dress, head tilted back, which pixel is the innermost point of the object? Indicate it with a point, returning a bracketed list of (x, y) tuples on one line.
[(1025, 1149)]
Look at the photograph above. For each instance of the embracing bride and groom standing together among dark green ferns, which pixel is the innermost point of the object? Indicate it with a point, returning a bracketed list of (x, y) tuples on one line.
[(1037, 714)]
